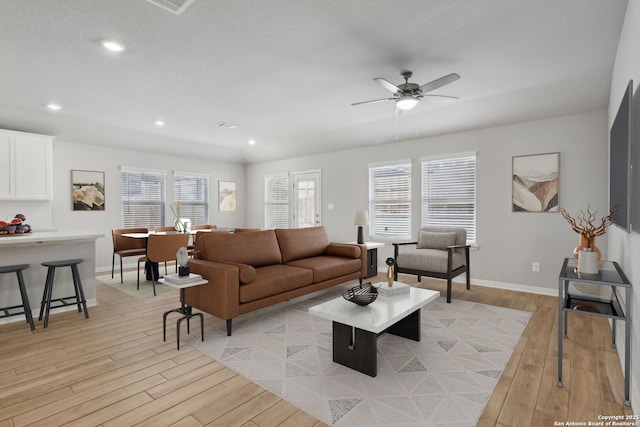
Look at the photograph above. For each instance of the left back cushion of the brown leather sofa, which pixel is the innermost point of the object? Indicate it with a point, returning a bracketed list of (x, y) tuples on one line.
[(257, 248)]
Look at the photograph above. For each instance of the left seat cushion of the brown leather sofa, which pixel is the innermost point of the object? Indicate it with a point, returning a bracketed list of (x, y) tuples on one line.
[(274, 279)]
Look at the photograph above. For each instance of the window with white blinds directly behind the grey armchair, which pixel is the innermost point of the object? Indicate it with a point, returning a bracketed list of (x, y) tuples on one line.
[(449, 193)]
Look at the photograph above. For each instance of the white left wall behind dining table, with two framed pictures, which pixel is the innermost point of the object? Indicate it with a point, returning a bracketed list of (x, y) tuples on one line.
[(68, 156)]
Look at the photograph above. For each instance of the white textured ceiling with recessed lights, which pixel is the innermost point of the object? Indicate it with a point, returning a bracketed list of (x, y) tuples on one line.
[(287, 71)]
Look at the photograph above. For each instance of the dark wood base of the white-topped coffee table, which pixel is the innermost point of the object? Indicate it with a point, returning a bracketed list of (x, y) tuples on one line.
[(357, 349)]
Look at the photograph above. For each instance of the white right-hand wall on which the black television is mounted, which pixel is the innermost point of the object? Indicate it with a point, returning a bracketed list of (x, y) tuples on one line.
[(625, 247)]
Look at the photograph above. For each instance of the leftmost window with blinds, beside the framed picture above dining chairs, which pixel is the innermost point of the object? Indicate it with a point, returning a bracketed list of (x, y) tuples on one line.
[(143, 198)]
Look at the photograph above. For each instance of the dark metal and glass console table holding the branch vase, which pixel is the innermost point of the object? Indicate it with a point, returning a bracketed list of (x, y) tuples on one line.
[(599, 296)]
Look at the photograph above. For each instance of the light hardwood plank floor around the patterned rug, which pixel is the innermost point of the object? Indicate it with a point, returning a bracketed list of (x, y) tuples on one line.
[(114, 370)]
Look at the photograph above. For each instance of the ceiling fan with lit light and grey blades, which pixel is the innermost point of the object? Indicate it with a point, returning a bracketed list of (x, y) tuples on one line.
[(407, 95)]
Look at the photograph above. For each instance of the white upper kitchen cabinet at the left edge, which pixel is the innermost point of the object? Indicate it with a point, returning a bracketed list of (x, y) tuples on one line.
[(26, 168)]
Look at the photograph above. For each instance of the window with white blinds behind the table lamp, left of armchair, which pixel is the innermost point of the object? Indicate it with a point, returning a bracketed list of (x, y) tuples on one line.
[(390, 201)]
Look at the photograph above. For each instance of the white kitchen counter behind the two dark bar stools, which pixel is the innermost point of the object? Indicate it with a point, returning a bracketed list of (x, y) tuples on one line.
[(40, 246)]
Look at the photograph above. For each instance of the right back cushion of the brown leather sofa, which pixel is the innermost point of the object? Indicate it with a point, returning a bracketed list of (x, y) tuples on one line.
[(299, 243)]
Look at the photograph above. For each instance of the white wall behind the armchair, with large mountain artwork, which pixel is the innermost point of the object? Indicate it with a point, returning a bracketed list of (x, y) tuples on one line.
[(508, 242)]
